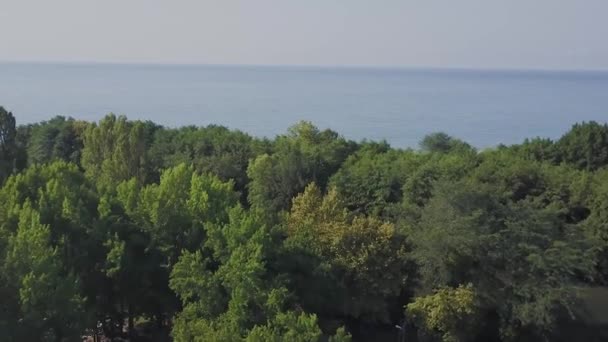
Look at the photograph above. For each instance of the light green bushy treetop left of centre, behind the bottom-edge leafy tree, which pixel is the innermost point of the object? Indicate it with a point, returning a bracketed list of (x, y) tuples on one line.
[(175, 211)]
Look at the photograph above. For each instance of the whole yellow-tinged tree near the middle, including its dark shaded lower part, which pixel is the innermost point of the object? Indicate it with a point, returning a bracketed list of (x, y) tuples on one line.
[(363, 252)]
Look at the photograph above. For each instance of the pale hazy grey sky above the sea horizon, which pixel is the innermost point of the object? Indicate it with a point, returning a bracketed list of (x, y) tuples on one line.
[(551, 34)]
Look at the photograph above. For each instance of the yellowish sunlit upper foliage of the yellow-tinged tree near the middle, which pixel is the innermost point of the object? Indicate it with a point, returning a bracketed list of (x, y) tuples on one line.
[(365, 248)]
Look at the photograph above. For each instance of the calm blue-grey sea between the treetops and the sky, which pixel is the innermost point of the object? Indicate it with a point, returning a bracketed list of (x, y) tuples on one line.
[(484, 108)]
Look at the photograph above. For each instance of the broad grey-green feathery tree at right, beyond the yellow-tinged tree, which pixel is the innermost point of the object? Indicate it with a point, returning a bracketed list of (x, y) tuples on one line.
[(524, 262)]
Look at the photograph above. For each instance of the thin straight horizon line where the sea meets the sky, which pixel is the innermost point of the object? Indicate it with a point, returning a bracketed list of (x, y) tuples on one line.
[(307, 66)]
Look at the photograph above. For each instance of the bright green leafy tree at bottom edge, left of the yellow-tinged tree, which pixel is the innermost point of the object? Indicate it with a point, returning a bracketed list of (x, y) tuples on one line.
[(228, 291)]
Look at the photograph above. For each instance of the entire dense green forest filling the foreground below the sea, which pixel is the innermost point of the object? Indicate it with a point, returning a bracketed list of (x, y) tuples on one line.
[(125, 230)]
